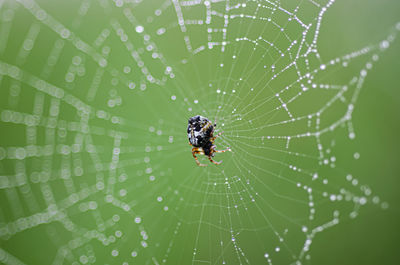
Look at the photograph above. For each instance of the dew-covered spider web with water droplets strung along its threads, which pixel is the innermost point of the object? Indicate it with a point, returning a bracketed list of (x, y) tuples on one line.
[(94, 158)]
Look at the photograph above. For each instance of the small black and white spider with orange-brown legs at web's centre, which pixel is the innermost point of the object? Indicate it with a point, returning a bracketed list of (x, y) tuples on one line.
[(200, 134)]
